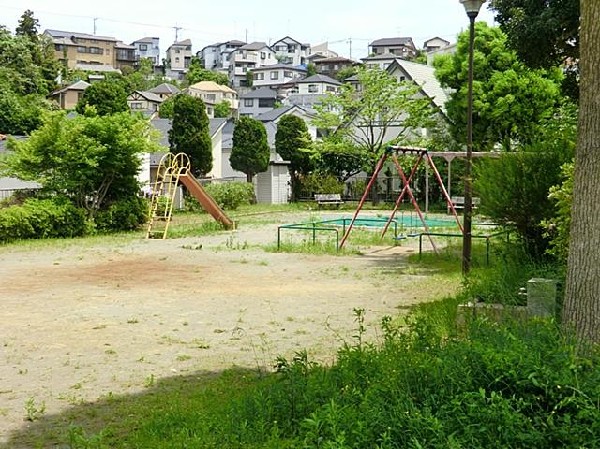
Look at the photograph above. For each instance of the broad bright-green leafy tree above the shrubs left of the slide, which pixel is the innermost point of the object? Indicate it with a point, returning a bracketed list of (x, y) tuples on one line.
[(92, 160)]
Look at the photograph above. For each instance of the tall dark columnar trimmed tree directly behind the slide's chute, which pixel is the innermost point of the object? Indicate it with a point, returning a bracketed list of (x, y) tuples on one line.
[(190, 133)]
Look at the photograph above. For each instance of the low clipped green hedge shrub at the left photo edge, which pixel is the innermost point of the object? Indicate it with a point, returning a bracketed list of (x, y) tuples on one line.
[(38, 219)]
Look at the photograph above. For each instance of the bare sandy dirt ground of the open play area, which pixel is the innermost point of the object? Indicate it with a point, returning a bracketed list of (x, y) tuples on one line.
[(83, 318)]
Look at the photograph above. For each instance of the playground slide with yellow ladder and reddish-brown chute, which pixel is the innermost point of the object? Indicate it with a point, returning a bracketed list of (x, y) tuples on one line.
[(172, 170)]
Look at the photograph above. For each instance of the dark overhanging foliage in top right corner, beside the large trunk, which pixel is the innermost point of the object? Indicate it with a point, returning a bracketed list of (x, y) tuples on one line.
[(543, 33)]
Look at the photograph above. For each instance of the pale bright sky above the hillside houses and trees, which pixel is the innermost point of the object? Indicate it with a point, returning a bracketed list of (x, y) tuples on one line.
[(347, 26)]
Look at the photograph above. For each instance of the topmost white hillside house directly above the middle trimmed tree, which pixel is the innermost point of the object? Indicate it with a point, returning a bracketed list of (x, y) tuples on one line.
[(246, 59)]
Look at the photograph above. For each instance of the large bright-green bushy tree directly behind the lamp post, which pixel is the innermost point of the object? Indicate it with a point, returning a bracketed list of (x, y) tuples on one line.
[(511, 101)]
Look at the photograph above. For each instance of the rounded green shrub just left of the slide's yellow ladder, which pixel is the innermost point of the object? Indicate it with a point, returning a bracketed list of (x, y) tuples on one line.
[(123, 215)]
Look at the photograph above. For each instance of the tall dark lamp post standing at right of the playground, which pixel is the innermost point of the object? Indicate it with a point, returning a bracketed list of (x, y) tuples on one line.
[(472, 8)]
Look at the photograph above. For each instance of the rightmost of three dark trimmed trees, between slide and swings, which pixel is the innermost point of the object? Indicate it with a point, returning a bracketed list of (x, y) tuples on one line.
[(292, 143)]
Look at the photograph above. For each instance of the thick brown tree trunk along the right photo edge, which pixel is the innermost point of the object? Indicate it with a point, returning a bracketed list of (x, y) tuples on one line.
[(581, 311)]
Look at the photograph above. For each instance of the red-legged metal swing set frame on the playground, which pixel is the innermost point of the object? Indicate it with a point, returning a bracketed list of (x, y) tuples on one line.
[(421, 155)]
